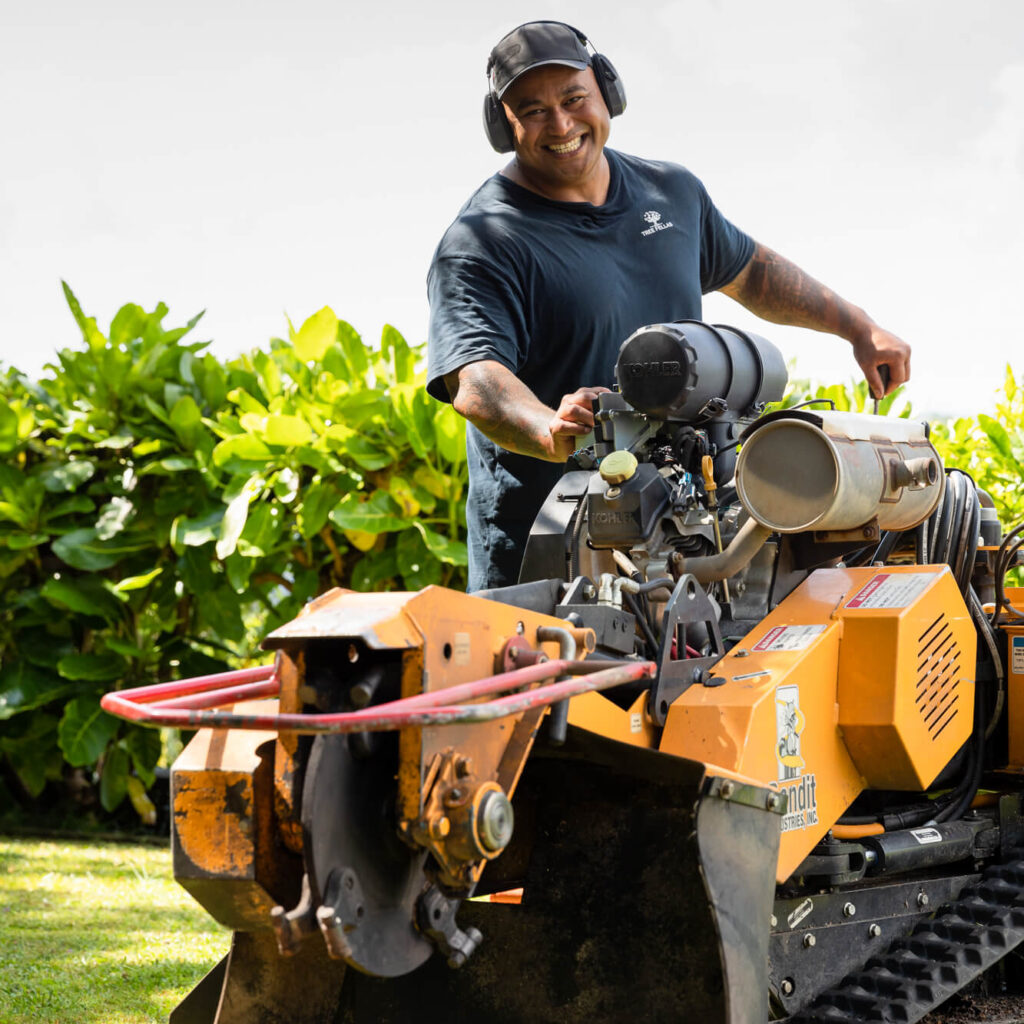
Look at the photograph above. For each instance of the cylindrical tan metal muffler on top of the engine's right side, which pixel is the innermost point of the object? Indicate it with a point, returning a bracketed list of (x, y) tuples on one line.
[(836, 472)]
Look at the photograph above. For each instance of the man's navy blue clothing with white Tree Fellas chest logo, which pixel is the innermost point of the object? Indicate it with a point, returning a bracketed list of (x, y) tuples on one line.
[(551, 290)]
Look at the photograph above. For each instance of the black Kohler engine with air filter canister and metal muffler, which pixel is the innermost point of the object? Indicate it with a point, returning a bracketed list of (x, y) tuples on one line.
[(682, 545)]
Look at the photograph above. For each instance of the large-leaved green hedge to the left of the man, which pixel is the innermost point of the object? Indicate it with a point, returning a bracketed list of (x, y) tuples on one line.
[(160, 510)]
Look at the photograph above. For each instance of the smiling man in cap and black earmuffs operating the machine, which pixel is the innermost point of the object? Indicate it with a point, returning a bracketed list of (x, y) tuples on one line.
[(557, 260)]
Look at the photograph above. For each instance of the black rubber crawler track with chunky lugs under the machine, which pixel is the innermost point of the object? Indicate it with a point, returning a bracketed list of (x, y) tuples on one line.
[(940, 958)]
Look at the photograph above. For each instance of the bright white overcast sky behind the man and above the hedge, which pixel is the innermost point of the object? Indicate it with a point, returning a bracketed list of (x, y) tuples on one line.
[(263, 158)]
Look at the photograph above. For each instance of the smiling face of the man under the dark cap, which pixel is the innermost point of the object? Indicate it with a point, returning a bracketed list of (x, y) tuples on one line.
[(561, 125)]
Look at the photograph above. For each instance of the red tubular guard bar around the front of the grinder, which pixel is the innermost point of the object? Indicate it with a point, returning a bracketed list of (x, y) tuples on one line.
[(185, 704)]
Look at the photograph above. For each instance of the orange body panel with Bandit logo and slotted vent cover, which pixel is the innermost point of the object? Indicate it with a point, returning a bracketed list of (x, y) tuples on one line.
[(862, 678)]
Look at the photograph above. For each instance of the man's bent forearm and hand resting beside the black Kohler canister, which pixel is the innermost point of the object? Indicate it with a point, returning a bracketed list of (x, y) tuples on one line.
[(502, 408)]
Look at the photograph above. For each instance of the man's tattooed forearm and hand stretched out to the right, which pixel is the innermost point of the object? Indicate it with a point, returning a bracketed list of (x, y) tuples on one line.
[(779, 291)]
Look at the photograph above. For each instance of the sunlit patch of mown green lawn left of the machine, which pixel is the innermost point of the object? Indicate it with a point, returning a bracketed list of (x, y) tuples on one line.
[(94, 933)]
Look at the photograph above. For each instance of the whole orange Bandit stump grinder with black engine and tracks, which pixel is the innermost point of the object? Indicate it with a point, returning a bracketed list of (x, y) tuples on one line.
[(746, 743)]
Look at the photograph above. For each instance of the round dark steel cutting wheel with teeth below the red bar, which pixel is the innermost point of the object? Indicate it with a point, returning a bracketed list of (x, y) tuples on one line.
[(356, 862)]
